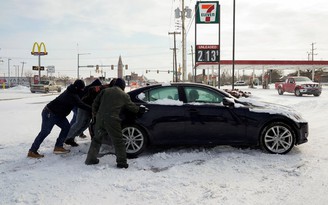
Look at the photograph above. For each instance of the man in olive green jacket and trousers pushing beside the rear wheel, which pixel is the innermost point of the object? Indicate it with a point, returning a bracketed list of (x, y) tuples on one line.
[(107, 108)]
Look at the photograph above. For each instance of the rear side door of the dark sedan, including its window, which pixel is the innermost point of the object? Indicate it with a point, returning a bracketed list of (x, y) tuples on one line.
[(165, 118)]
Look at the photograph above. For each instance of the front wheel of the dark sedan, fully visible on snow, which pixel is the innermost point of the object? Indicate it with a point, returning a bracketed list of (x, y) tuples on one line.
[(277, 138)]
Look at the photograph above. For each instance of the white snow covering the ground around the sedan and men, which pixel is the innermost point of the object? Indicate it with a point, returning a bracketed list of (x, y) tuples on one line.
[(192, 175)]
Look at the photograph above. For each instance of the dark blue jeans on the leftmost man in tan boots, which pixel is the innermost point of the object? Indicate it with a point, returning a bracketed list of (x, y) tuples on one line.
[(48, 121)]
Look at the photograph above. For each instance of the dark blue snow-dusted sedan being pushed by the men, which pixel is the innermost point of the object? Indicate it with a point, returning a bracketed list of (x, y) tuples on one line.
[(197, 114)]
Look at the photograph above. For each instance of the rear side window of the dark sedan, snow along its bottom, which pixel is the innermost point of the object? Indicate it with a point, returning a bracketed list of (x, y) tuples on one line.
[(161, 93)]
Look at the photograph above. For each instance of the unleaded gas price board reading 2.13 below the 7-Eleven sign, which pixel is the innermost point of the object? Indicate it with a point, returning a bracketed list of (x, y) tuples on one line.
[(207, 53)]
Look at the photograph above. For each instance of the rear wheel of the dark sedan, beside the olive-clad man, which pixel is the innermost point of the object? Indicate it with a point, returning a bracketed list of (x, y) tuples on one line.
[(135, 138)]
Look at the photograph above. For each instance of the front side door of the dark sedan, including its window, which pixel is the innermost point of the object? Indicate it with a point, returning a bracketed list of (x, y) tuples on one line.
[(209, 121)]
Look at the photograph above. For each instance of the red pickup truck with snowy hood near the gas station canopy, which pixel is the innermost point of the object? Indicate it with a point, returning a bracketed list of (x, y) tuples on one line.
[(299, 85)]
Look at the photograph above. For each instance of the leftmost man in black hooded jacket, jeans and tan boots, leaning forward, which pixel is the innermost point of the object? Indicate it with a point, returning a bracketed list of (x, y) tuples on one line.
[(55, 113)]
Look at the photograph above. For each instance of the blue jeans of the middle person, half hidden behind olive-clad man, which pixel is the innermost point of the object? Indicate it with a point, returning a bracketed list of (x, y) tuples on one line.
[(82, 122)]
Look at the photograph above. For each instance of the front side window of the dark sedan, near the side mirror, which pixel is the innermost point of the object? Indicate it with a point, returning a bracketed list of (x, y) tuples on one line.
[(201, 95)]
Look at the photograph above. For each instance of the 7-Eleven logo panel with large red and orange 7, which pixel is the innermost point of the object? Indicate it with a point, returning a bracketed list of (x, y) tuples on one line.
[(208, 12)]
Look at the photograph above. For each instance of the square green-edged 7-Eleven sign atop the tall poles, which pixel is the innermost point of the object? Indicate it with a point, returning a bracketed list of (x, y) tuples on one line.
[(207, 12)]
